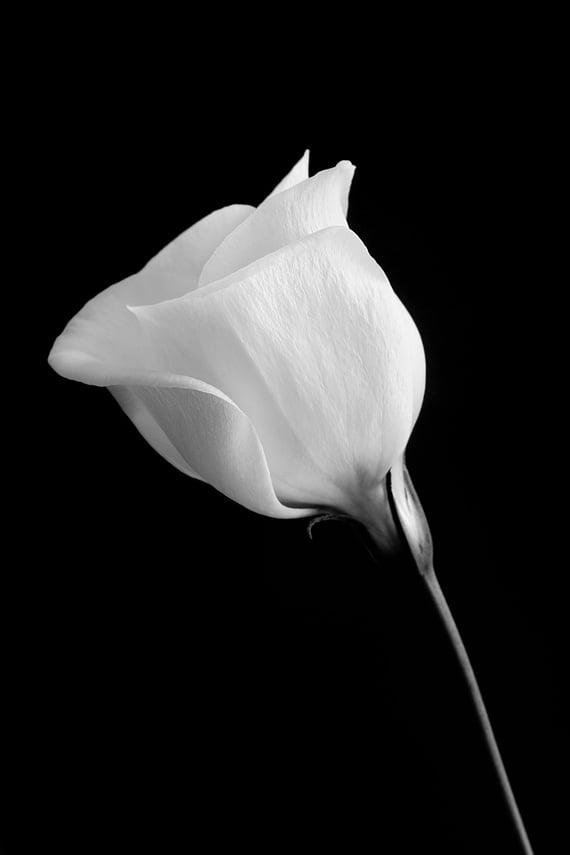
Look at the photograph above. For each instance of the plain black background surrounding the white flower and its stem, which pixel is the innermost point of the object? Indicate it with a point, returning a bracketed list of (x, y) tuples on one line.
[(179, 673)]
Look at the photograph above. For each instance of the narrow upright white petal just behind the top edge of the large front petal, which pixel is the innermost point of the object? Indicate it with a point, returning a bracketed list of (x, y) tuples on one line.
[(294, 213)]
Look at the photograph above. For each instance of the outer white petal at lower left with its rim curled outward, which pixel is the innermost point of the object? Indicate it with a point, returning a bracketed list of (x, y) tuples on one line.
[(194, 425)]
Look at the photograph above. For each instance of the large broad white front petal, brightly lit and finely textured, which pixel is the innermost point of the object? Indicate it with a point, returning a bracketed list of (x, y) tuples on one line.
[(314, 346)]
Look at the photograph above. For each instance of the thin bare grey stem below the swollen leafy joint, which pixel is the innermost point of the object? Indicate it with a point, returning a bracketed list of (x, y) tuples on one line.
[(444, 611)]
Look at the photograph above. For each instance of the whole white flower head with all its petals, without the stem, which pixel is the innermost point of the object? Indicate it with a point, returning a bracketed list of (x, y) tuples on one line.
[(264, 352)]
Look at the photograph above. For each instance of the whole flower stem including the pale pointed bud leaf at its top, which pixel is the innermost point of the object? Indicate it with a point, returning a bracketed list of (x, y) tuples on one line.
[(414, 531)]
